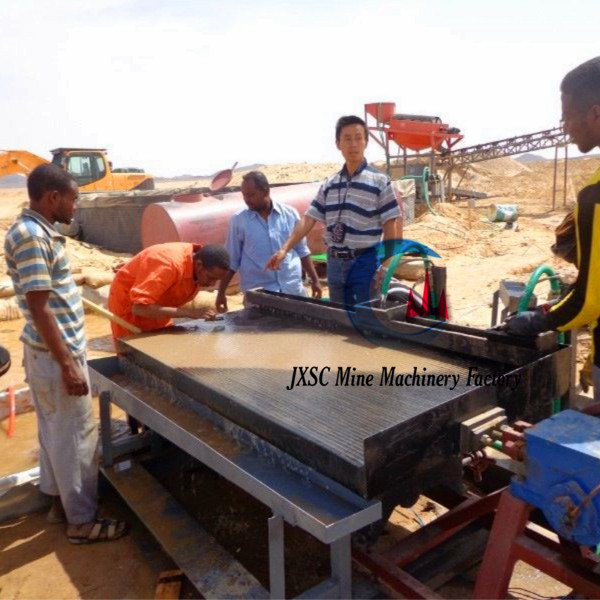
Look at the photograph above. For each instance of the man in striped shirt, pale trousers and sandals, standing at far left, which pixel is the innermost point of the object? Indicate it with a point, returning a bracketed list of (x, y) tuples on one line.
[(54, 356)]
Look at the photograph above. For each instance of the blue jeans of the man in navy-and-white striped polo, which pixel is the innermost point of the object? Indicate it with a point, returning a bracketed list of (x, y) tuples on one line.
[(349, 280)]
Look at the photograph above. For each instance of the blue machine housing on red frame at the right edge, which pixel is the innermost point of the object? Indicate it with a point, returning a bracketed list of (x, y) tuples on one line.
[(563, 467)]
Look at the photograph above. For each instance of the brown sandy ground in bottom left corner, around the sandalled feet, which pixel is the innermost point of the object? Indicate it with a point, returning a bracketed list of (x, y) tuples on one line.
[(39, 562)]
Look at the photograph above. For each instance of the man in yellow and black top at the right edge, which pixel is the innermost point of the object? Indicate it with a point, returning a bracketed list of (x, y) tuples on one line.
[(581, 121)]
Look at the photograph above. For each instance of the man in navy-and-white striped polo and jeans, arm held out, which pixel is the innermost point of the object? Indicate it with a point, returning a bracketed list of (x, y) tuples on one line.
[(359, 208)]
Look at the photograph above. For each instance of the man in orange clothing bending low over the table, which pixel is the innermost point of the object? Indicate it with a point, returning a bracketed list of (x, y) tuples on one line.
[(151, 289)]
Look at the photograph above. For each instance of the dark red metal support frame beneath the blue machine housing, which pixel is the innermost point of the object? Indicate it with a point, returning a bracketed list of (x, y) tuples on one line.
[(511, 538)]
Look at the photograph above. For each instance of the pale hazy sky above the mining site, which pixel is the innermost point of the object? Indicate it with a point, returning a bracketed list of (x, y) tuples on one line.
[(190, 86)]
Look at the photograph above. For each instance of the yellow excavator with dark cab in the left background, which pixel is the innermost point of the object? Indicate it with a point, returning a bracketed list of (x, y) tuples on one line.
[(89, 166)]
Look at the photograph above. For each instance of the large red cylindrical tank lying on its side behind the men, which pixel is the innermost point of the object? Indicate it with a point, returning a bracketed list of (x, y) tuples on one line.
[(207, 221)]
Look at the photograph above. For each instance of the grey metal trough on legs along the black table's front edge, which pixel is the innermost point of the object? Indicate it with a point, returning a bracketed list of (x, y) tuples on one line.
[(298, 495)]
